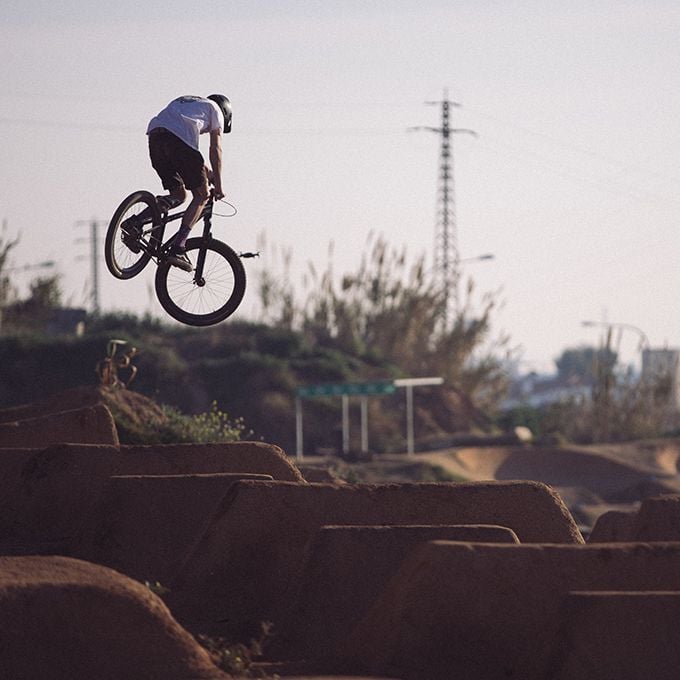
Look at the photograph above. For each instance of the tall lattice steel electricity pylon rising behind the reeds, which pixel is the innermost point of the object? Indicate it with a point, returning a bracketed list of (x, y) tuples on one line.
[(446, 255)]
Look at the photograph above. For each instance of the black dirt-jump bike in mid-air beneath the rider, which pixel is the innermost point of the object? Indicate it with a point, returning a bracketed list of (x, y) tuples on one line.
[(208, 294)]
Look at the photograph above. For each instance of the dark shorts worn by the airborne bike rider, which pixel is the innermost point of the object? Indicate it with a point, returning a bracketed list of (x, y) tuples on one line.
[(175, 161)]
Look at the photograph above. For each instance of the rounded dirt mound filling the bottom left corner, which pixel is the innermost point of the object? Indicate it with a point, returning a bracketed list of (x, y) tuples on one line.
[(64, 619)]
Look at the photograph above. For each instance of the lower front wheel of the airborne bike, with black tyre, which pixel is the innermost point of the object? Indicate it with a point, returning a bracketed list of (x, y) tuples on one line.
[(212, 297)]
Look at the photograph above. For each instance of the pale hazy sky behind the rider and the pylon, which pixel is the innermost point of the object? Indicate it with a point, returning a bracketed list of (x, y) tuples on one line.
[(572, 183)]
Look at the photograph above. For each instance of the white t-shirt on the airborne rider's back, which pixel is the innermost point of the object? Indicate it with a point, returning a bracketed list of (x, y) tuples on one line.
[(189, 117)]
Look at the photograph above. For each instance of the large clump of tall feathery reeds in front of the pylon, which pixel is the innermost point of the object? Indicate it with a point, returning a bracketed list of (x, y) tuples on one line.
[(389, 312)]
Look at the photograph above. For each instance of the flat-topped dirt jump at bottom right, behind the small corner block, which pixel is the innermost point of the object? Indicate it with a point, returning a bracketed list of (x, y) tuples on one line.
[(463, 610)]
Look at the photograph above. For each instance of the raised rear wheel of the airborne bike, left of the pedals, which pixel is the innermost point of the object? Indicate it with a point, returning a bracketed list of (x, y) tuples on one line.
[(129, 235)]
